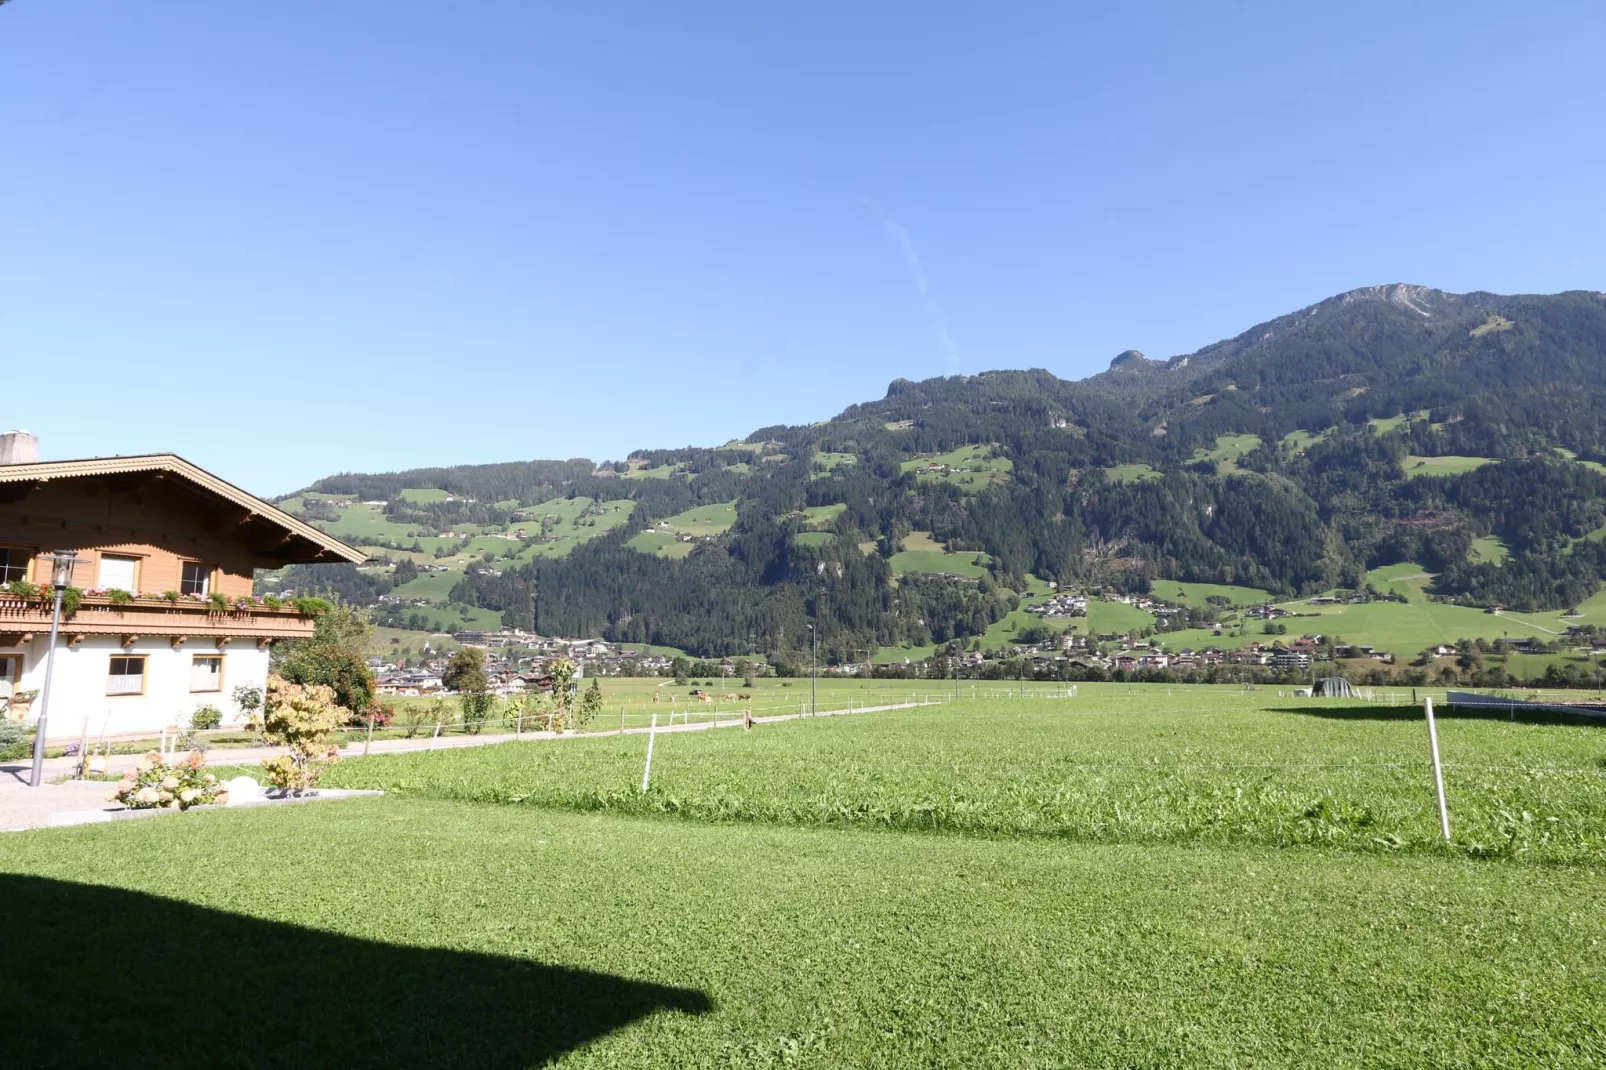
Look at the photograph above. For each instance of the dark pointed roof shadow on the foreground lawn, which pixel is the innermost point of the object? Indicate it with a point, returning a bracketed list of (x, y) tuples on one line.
[(112, 978)]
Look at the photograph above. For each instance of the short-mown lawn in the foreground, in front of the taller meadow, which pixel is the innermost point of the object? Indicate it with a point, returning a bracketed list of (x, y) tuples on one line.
[(812, 949)]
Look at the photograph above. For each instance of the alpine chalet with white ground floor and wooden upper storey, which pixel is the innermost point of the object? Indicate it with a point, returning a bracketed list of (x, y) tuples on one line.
[(160, 557)]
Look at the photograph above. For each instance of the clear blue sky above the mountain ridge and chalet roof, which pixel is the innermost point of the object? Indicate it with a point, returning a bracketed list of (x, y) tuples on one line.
[(295, 239)]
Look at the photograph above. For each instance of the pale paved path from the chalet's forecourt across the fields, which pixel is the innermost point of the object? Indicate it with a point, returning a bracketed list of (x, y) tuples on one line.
[(23, 807)]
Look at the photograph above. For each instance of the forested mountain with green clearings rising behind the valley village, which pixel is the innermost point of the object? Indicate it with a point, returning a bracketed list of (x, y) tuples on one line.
[(1465, 433)]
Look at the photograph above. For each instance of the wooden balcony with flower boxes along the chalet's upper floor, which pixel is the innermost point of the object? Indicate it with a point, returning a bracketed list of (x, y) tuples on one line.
[(153, 616)]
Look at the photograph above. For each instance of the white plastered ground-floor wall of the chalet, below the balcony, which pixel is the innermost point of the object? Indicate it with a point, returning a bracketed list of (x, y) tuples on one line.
[(79, 685)]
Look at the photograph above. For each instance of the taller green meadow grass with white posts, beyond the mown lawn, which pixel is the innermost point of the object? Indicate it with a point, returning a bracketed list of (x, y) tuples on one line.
[(1200, 767)]
